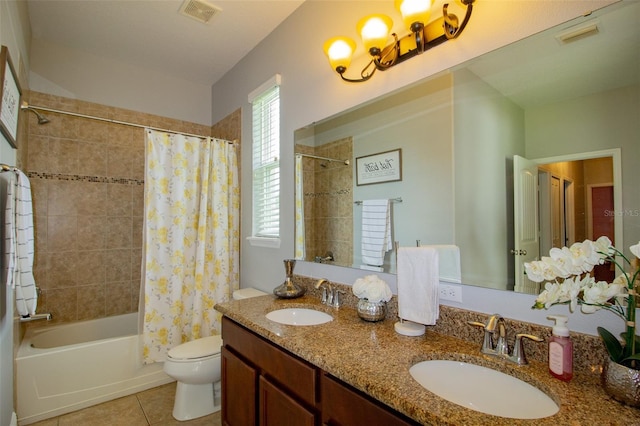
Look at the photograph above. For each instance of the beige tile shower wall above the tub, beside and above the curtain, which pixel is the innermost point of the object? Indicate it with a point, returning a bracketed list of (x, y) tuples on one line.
[(87, 180)]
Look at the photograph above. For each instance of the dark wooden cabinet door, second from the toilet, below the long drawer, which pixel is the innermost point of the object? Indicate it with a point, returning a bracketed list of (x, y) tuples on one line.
[(279, 409)]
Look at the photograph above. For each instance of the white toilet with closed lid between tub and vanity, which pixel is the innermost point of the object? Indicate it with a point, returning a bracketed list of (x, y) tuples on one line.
[(196, 366)]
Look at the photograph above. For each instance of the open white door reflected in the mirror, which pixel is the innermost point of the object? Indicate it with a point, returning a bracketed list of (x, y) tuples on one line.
[(525, 210)]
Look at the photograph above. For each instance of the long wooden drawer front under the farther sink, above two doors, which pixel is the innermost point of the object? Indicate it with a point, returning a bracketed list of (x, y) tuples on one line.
[(299, 377)]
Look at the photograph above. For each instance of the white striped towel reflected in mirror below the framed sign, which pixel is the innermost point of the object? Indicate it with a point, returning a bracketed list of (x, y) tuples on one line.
[(376, 231)]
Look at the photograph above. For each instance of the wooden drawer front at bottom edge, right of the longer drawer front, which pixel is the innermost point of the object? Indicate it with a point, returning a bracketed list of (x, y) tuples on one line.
[(346, 406)]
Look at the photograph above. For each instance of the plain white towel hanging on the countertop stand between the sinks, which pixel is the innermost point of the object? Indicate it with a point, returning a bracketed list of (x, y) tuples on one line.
[(418, 282)]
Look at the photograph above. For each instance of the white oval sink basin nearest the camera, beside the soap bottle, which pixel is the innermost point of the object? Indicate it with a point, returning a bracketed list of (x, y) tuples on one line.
[(483, 389)]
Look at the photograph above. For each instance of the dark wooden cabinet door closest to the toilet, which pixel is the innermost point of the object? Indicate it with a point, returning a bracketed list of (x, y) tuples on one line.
[(239, 390)]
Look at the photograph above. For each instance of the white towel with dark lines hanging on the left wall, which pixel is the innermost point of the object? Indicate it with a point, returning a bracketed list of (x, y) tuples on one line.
[(19, 246)]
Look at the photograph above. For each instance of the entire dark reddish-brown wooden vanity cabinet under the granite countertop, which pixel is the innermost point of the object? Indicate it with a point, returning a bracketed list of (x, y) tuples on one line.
[(262, 384)]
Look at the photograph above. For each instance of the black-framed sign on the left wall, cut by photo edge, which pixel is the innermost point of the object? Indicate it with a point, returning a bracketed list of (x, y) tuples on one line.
[(9, 98)]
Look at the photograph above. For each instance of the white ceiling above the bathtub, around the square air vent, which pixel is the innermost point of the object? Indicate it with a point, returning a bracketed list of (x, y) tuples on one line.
[(152, 33)]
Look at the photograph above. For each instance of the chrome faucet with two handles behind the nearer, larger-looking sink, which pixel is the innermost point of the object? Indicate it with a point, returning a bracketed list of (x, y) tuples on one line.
[(495, 323)]
